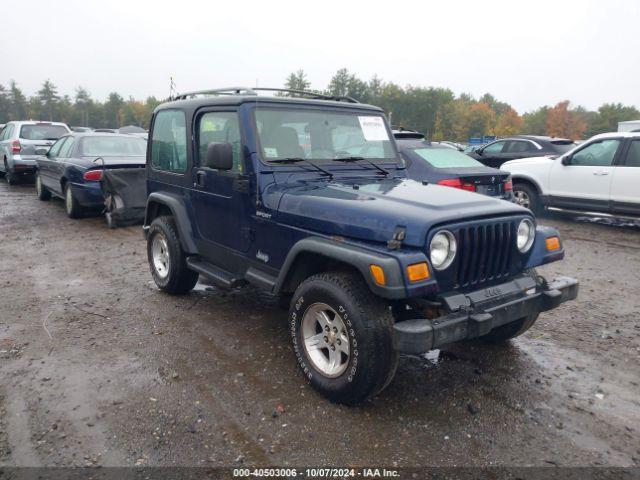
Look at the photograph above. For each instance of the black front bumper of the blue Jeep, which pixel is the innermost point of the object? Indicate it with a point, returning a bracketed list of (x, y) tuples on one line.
[(477, 313)]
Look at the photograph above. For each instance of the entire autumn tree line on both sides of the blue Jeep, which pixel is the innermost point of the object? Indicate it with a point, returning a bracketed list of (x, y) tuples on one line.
[(437, 112)]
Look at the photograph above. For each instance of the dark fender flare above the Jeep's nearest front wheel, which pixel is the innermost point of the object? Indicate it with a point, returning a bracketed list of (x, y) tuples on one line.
[(357, 257)]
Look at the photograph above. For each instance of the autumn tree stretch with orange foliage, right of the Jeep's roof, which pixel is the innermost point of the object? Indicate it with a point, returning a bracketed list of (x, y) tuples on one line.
[(441, 115)]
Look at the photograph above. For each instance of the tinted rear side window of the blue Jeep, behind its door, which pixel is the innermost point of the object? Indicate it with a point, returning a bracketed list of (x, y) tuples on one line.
[(169, 141)]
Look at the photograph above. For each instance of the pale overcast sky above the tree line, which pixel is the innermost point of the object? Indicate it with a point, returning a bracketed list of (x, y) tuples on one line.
[(525, 53)]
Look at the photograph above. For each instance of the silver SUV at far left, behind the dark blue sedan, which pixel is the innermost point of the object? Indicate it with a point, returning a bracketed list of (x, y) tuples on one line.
[(18, 144)]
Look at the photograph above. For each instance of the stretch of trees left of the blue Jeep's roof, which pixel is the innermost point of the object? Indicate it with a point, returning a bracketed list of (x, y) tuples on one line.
[(78, 110)]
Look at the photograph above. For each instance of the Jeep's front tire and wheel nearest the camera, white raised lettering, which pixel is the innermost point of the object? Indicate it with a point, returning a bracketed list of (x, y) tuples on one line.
[(342, 336)]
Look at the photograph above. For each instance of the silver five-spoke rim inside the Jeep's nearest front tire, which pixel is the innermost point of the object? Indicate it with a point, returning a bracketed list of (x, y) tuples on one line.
[(325, 340)]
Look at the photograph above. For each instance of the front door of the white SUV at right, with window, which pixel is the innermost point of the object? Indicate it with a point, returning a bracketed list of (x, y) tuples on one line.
[(582, 180)]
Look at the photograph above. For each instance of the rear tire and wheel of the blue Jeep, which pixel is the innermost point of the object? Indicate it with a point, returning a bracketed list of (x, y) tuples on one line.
[(167, 261)]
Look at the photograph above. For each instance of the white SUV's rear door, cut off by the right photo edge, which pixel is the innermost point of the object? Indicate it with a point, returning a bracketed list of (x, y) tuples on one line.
[(625, 190)]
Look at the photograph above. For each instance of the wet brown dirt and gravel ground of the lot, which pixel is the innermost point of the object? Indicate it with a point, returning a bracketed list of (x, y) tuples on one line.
[(98, 367)]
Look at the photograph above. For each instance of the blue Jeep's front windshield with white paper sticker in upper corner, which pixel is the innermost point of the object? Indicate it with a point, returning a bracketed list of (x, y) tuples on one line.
[(322, 135)]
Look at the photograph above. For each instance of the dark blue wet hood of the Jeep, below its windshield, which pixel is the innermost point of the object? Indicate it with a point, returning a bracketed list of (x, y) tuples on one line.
[(373, 209)]
